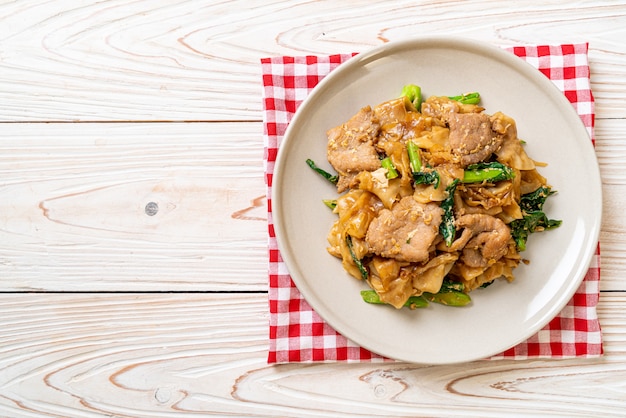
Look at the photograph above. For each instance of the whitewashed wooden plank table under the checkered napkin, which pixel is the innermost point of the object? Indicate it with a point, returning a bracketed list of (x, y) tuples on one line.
[(107, 310)]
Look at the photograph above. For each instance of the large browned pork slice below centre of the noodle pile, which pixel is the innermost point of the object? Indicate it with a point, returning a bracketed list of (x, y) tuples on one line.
[(406, 232)]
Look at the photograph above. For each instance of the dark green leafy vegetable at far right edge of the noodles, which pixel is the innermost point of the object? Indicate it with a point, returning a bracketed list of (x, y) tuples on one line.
[(534, 219)]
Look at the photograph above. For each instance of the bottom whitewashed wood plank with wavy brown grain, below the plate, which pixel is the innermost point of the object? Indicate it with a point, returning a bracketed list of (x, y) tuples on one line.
[(151, 355)]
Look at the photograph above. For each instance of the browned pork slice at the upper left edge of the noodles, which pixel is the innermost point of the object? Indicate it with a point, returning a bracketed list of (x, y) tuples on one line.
[(351, 145)]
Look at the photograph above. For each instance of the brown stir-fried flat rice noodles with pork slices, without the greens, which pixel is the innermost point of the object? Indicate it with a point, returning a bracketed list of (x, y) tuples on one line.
[(391, 225)]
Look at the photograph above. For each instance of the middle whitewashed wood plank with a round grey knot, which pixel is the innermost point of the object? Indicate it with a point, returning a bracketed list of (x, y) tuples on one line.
[(73, 199)]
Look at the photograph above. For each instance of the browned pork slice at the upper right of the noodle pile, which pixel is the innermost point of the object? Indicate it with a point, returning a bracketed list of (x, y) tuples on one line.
[(471, 137)]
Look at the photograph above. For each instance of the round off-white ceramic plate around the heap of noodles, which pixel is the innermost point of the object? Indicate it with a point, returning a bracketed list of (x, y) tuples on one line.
[(500, 316)]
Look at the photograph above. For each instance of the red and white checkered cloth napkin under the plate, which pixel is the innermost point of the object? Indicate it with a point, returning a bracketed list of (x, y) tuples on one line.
[(299, 334)]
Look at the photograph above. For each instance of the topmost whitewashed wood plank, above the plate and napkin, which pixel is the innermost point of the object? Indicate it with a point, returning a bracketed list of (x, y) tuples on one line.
[(163, 60)]
